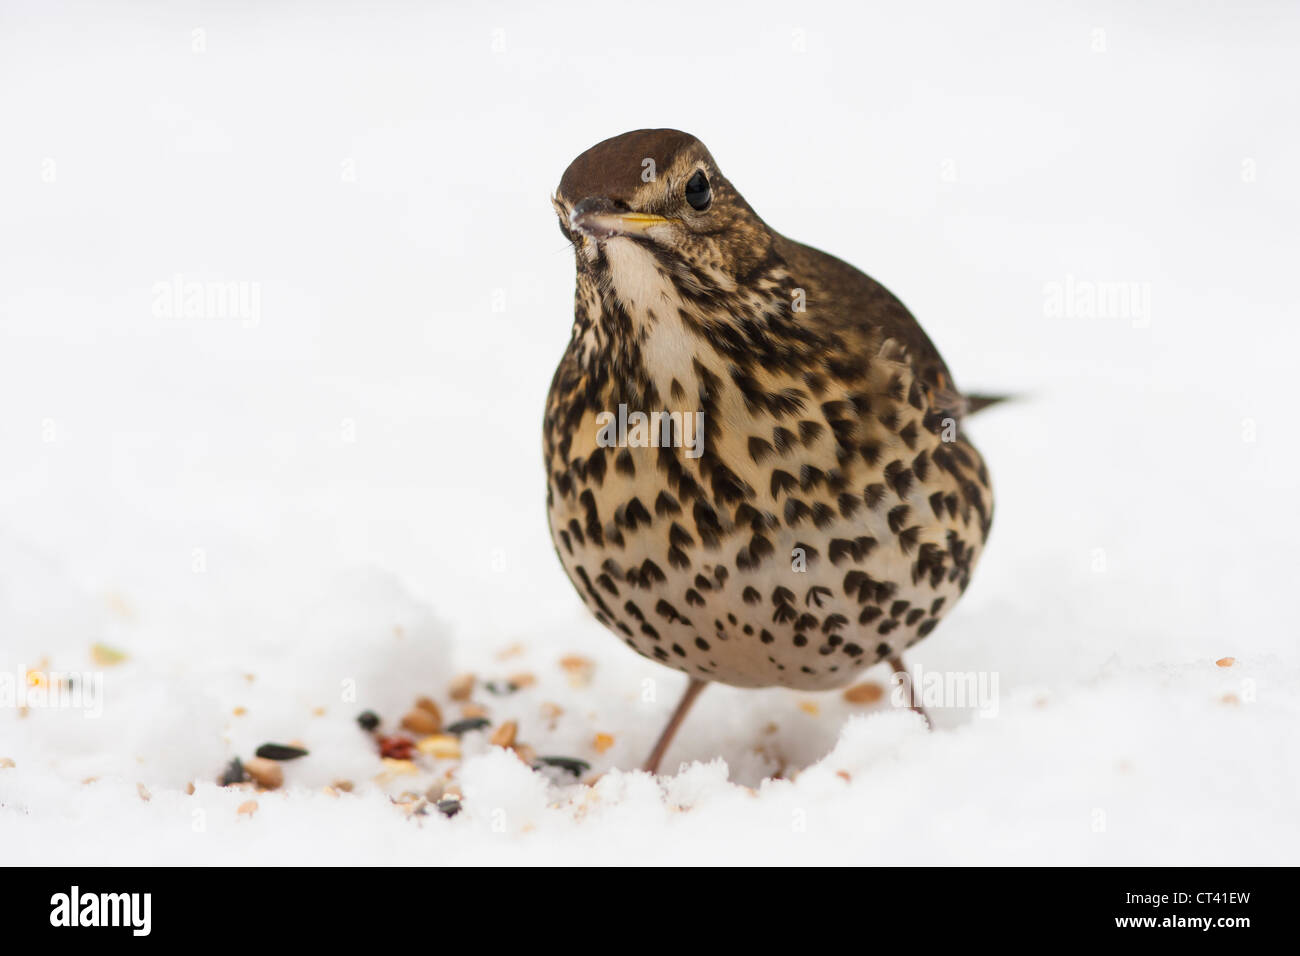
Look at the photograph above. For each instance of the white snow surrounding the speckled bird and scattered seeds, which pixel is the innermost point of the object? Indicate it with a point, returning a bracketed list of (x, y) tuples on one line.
[(328, 496)]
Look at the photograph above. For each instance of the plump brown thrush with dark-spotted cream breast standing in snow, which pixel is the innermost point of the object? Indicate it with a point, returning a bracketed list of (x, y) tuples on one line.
[(757, 465)]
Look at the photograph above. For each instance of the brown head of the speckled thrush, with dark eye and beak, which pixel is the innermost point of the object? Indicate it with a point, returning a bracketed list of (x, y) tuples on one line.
[(656, 201)]
